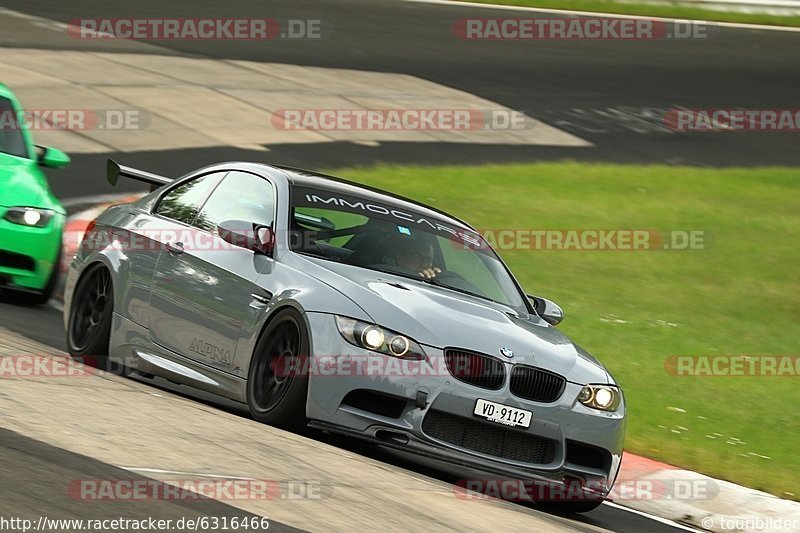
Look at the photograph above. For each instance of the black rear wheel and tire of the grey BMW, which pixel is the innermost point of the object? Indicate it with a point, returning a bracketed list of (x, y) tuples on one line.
[(90, 315)]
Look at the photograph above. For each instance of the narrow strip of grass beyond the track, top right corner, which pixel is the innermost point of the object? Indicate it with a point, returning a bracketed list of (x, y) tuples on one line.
[(672, 11)]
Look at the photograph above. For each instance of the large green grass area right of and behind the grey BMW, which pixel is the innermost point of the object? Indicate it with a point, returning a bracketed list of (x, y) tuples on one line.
[(635, 309)]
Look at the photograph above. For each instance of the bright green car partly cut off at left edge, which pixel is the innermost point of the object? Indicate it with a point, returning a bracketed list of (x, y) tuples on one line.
[(31, 218)]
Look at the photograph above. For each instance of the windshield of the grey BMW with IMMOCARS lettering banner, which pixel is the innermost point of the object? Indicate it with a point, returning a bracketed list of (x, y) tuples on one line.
[(395, 239)]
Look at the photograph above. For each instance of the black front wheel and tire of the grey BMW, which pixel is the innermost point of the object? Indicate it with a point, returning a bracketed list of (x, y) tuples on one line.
[(276, 395)]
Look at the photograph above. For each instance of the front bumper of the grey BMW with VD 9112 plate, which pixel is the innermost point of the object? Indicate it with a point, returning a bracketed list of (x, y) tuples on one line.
[(431, 413)]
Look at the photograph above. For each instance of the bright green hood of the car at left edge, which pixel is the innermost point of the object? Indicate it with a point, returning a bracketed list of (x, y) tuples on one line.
[(22, 183)]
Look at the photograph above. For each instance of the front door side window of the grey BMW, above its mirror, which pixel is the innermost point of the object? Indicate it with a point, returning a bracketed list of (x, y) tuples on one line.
[(240, 196)]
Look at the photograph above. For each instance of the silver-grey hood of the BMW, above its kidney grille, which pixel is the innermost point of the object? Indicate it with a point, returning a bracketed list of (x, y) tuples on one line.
[(438, 317)]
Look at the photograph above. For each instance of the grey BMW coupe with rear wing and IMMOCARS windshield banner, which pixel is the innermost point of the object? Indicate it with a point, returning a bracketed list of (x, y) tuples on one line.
[(324, 303)]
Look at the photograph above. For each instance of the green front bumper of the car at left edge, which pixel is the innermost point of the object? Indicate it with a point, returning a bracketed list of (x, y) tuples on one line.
[(29, 255)]
